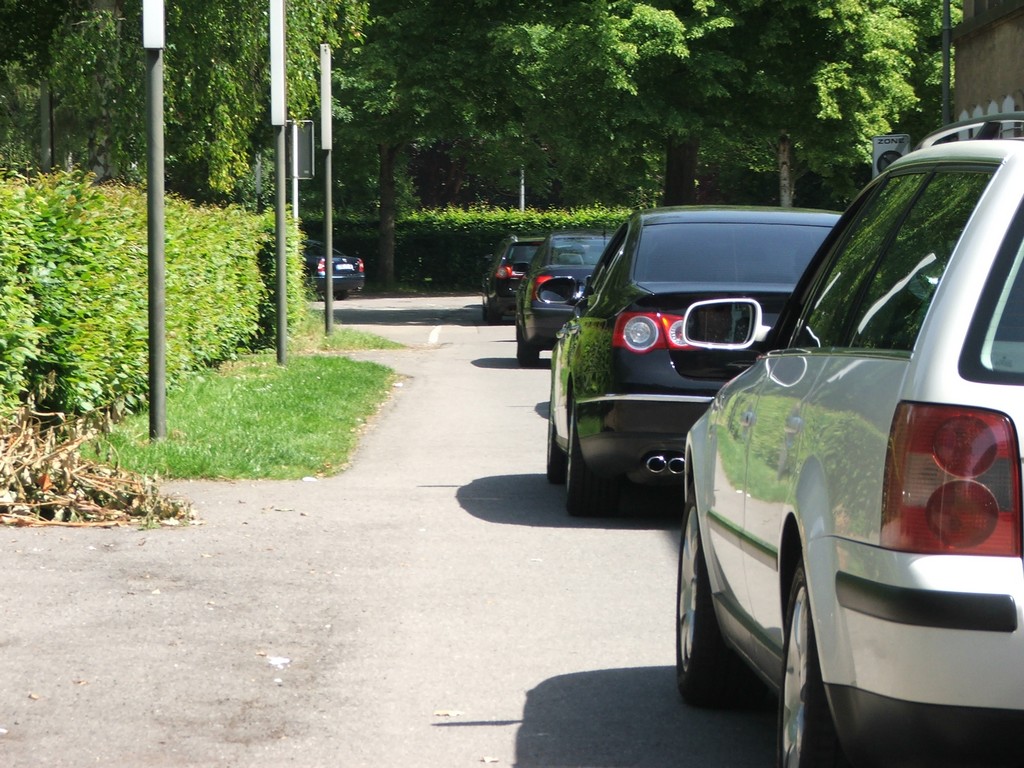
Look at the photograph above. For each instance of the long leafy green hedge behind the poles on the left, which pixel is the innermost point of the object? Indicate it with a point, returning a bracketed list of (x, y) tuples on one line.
[(74, 295)]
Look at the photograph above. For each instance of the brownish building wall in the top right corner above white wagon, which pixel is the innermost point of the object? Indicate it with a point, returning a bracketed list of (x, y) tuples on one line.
[(990, 59)]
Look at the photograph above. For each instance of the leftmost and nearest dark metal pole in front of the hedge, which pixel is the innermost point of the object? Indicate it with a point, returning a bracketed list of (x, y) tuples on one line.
[(155, 229)]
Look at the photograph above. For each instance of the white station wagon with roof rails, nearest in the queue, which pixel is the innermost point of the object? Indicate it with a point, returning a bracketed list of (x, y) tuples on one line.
[(852, 521)]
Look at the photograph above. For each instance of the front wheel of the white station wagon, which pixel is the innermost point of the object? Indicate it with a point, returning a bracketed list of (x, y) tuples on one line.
[(708, 672)]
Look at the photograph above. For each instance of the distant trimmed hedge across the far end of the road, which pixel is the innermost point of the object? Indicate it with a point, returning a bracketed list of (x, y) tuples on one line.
[(445, 249)]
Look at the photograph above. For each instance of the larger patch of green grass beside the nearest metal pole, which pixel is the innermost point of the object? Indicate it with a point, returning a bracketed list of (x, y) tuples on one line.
[(258, 419)]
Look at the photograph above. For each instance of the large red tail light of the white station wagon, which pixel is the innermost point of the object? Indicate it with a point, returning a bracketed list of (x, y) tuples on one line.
[(953, 483)]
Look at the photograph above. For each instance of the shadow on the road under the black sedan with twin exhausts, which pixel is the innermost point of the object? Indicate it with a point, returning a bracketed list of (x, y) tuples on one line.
[(531, 500)]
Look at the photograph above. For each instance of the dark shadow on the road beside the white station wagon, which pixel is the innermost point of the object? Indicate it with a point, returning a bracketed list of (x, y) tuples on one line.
[(634, 717)]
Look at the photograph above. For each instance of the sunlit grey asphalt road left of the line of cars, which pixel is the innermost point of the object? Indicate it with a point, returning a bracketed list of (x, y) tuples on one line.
[(433, 607)]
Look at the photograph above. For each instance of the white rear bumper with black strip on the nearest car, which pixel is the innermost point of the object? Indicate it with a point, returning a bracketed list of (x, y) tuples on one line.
[(921, 655)]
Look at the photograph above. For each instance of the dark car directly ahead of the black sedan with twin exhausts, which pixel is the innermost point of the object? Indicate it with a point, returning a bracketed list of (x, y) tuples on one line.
[(544, 304)]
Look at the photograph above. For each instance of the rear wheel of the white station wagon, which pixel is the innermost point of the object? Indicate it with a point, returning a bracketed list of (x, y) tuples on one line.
[(806, 732)]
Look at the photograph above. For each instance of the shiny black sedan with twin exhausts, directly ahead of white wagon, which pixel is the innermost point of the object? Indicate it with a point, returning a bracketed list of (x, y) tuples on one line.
[(626, 387)]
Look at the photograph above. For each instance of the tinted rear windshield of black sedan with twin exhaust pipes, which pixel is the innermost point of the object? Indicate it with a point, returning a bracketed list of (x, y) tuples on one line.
[(718, 252)]
